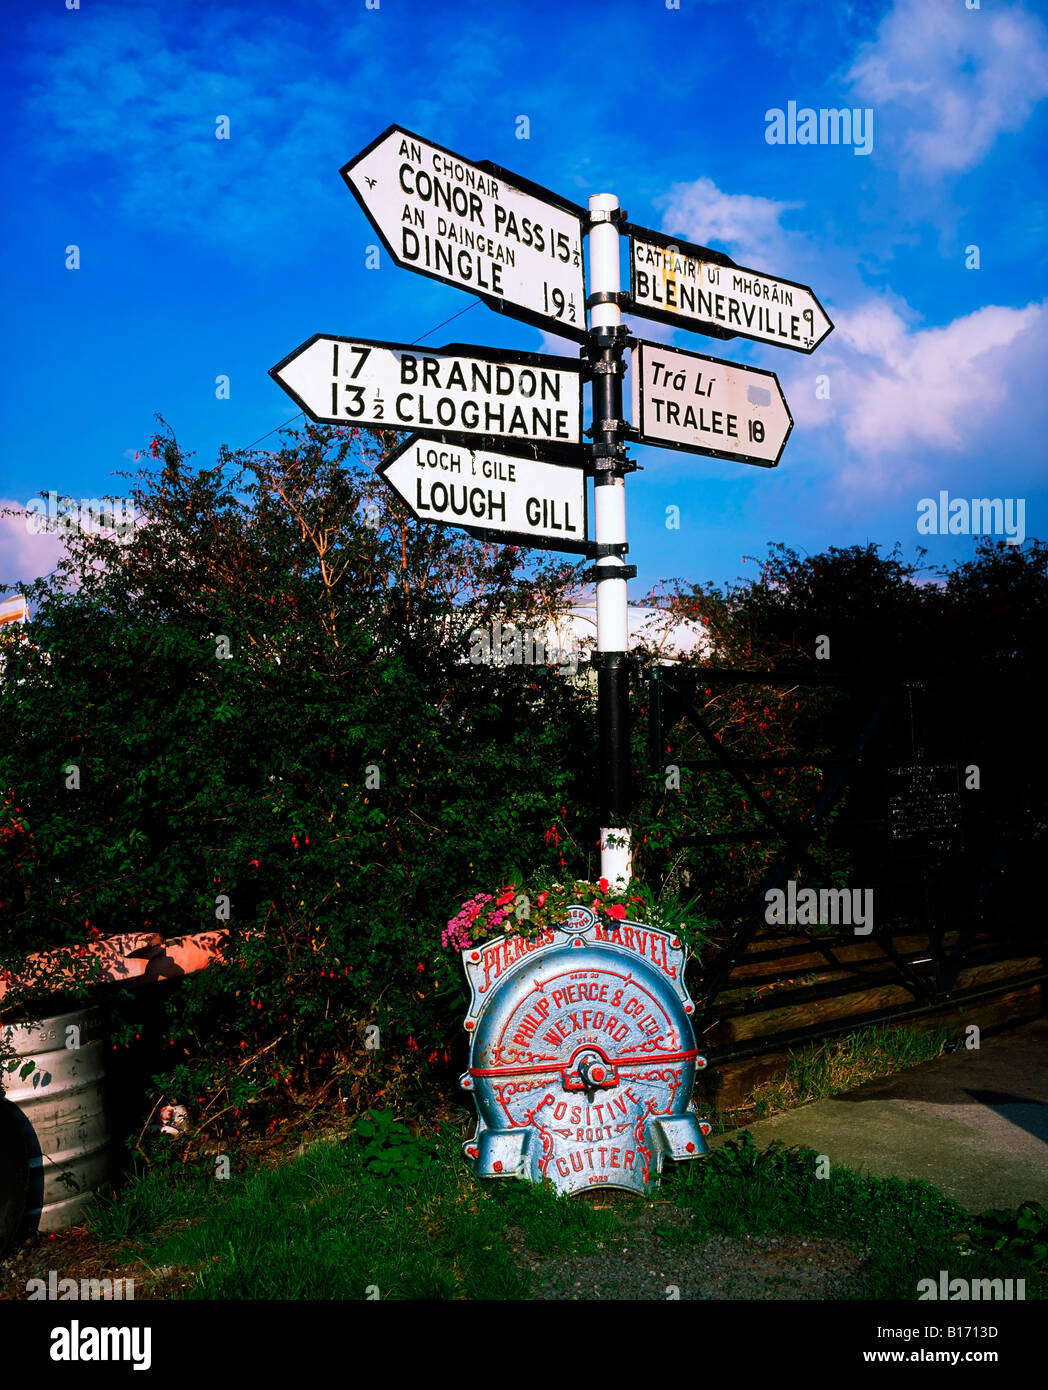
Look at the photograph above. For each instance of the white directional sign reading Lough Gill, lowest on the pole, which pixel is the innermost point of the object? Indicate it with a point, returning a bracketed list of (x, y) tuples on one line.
[(509, 498)]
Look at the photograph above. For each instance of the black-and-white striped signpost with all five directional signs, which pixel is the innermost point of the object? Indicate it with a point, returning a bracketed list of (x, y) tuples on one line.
[(497, 437)]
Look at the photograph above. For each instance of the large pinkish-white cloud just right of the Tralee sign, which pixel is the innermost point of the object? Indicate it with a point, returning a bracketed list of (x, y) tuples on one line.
[(965, 391)]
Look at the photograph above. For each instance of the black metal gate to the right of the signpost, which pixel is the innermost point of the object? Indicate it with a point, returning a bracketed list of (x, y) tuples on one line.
[(922, 825)]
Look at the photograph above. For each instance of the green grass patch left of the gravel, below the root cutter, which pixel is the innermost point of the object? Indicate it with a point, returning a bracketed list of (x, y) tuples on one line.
[(326, 1228)]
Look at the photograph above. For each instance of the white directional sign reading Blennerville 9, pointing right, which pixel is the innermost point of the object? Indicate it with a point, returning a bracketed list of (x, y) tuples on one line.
[(693, 287)]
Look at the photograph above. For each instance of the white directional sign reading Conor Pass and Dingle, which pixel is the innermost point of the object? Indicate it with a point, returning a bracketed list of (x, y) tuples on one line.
[(515, 245)]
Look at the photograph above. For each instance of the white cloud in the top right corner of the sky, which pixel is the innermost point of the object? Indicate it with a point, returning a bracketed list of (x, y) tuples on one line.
[(947, 81)]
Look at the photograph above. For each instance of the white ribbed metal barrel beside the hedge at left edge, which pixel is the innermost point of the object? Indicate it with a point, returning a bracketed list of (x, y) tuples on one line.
[(63, 1118)]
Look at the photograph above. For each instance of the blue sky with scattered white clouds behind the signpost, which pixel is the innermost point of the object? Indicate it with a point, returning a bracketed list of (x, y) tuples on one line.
[(205, 258)]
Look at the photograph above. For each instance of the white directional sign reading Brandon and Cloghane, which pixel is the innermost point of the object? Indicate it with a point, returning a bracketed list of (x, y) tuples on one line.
[(458, 391)]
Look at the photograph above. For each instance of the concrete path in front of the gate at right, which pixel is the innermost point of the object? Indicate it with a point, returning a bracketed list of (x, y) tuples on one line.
[(972, 1124)]
